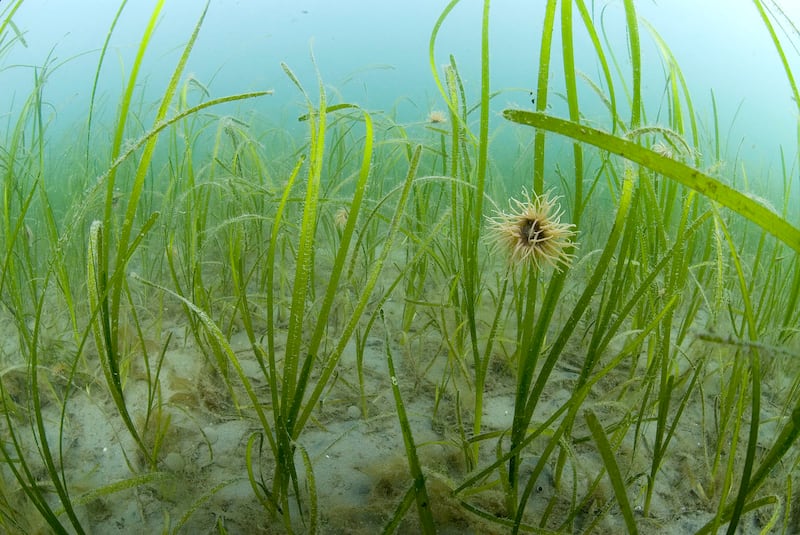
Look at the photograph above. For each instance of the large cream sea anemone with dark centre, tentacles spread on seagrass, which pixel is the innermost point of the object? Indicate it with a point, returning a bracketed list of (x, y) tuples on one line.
[(532, 231)]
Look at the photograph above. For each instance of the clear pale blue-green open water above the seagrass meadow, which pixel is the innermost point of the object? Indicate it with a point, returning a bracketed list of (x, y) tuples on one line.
[(376, 54)]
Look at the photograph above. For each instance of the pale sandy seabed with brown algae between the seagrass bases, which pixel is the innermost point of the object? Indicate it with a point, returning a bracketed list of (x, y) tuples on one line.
[(355, 445)]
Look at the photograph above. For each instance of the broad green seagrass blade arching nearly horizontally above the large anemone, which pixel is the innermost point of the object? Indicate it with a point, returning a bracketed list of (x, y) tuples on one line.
[(672, 169)]
